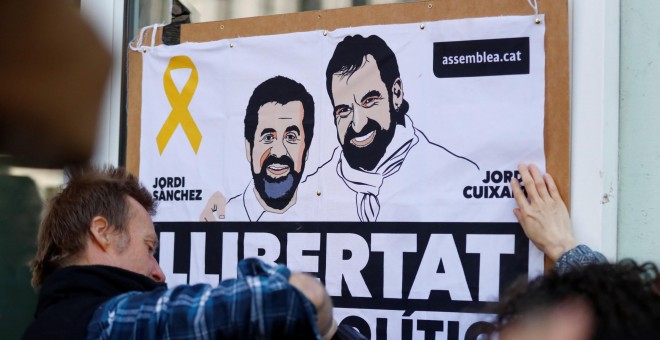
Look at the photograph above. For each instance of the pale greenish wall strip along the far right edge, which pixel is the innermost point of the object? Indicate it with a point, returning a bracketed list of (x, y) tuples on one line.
[(639, 141)]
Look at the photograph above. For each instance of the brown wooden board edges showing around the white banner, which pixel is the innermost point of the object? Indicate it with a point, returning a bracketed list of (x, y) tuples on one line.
[(557, 91)]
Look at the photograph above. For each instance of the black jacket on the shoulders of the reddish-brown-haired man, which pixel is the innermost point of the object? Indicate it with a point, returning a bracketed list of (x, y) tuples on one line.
[(69, 297)]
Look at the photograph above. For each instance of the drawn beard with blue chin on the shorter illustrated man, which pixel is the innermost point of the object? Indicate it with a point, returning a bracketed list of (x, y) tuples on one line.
[(276, 192)]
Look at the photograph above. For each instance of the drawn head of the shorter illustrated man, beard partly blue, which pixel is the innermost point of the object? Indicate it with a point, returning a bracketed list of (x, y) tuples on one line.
[(279, 126)]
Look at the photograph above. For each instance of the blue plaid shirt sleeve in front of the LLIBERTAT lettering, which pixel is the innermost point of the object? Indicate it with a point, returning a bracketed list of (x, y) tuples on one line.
[(259, 304)]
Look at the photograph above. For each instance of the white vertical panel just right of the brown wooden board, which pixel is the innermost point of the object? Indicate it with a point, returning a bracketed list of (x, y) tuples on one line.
[(594, 53)]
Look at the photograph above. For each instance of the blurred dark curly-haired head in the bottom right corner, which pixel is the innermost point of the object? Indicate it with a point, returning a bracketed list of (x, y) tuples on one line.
[(598, 301)]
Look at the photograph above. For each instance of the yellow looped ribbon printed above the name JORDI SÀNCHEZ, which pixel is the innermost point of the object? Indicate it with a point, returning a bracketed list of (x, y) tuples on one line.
[(179, 102)]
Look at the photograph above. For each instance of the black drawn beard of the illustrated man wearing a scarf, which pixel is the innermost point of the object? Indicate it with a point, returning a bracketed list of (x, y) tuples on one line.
[(367, 157)]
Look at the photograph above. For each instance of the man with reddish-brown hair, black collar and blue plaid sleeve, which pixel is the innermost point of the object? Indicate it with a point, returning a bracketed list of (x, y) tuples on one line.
[(99, 278)]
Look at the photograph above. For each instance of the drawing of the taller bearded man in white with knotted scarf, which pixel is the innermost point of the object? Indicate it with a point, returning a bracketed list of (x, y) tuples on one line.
[(396, 172)]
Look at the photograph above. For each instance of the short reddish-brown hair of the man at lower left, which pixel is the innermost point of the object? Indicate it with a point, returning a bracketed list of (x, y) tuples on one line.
[(90, 192)]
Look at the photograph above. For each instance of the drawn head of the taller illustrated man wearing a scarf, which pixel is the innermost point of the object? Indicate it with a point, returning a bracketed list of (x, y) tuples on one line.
[(366, 92)]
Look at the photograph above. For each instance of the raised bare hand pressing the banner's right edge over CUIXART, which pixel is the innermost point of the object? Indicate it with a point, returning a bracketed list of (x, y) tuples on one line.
[(542, 213)]
